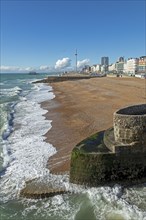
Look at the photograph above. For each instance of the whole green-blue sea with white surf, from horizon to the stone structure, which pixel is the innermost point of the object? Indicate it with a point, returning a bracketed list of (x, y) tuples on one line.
[(24, 154)]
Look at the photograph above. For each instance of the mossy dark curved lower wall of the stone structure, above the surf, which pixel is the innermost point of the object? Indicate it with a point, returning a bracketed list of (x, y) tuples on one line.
[(96, 169)]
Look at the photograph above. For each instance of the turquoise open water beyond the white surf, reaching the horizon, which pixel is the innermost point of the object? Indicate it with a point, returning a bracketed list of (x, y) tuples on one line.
[(13, 88)]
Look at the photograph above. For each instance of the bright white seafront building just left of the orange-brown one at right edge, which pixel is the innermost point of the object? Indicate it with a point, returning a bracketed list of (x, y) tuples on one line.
[(132, 66)]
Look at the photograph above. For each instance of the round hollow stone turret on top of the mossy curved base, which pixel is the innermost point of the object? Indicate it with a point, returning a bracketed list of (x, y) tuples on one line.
[(130, 124)]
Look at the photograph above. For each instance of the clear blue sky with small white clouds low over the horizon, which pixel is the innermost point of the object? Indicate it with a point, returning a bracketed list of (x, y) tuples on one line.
[(43, 35)]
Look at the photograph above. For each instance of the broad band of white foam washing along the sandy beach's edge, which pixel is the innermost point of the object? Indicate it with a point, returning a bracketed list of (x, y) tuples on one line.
[(29, 151)]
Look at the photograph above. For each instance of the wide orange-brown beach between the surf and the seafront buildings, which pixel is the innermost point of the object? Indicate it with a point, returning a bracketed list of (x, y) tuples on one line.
[(83, 107)]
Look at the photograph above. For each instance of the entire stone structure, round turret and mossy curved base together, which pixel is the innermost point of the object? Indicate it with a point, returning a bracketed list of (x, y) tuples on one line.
[(117, 155)]
